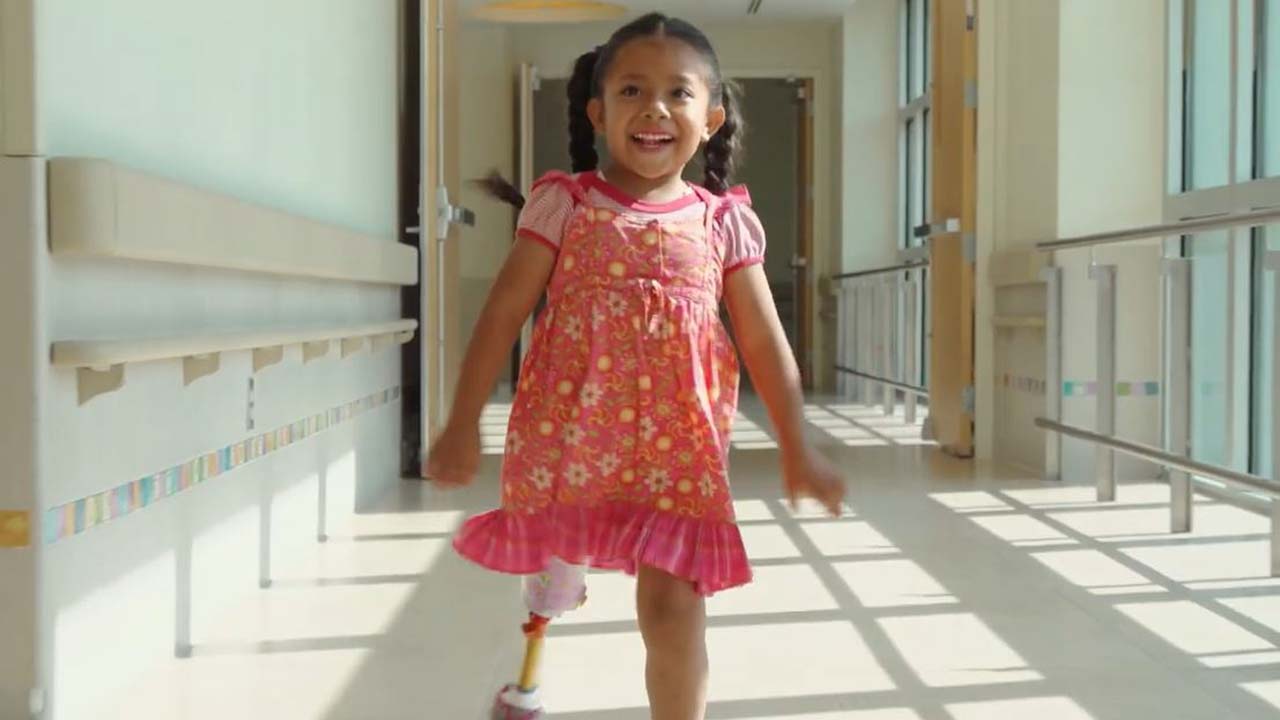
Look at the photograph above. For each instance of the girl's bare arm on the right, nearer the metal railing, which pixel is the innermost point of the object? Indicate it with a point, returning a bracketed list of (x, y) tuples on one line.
[(776, 377)]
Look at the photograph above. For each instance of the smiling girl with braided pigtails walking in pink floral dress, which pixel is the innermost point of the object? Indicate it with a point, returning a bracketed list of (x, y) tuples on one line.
[(618, 450)]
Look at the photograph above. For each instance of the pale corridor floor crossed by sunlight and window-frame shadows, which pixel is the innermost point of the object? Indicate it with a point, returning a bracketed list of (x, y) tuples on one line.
[(945, 594)]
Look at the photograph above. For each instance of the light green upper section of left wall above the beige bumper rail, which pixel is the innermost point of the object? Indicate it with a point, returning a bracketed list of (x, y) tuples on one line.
[(287, 103)]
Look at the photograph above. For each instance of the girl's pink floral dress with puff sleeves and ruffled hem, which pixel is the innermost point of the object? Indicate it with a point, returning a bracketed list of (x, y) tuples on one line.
[(618, 449)]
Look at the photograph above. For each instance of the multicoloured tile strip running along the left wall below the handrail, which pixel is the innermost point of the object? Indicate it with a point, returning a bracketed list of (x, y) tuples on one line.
[(75, 518)]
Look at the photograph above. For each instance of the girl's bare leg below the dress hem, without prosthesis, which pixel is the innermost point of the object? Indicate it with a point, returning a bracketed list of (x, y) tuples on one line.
[(674, 625)]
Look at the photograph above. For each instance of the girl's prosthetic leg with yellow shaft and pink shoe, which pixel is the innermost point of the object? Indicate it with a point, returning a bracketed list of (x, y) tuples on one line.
[(556, 591)]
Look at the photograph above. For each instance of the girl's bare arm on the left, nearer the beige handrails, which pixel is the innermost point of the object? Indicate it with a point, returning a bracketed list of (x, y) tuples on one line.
[(455, 457)]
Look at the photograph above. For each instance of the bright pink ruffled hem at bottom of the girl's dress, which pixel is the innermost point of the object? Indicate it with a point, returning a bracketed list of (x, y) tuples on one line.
[(708, 554)]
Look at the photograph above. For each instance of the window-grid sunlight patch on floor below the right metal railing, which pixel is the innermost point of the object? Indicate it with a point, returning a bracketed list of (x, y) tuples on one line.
[(1131, 554)]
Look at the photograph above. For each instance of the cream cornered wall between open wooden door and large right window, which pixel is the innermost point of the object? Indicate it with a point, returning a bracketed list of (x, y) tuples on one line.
[(1072, 144)]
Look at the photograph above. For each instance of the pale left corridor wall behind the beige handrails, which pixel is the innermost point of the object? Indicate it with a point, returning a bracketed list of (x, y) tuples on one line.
[(291, 106)]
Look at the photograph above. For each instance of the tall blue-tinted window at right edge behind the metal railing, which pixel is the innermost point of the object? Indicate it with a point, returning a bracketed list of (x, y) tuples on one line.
[(1226, 160)]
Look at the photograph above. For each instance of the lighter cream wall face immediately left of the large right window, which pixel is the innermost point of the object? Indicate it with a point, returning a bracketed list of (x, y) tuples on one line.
[(1112, 148)]
